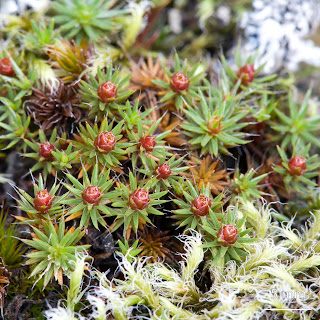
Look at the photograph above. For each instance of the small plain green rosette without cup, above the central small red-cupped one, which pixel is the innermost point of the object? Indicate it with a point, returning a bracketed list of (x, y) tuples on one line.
[(132, 116)]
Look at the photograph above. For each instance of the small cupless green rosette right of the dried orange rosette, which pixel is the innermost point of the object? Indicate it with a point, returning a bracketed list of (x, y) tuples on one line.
[(246, 185)]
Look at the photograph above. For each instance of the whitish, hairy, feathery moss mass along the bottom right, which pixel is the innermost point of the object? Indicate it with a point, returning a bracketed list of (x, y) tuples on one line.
[(268, 281)]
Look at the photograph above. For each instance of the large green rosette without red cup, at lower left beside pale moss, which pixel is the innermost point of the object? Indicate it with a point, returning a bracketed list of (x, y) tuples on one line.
[(55, 251)]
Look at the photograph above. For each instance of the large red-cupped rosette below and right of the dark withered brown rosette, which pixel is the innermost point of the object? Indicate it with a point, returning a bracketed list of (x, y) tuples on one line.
[(101, 144)]
